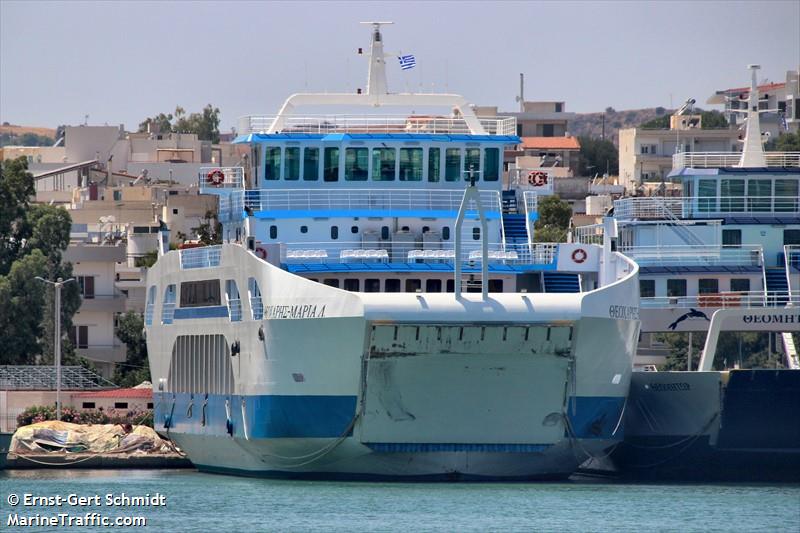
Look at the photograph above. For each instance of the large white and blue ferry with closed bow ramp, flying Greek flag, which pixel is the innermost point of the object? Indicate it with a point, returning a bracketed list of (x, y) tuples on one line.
[(378, 308)]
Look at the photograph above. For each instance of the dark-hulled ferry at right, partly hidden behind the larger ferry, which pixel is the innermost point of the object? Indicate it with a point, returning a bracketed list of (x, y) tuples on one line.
[(723, 256)]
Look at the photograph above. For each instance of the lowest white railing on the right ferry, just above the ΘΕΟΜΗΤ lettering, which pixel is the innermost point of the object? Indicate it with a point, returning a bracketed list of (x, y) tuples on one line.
[(745, 299)]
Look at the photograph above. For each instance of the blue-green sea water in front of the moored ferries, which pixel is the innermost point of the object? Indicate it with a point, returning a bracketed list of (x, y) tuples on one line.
[(208, 503)]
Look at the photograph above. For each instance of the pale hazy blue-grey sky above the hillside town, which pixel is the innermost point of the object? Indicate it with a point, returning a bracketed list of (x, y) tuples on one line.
[(120, 62)]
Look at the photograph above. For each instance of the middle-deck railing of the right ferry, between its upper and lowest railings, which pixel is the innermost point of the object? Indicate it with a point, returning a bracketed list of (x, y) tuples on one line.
[(690, 255)]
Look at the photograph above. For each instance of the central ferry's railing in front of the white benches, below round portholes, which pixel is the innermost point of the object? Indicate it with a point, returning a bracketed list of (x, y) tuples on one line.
[(415, 252)]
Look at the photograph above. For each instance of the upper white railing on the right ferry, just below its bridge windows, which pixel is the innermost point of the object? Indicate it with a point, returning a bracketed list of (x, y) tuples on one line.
[(687, 207)]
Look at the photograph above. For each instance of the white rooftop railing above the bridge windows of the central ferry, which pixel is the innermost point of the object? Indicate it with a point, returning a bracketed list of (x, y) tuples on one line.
[(322, 124)]
